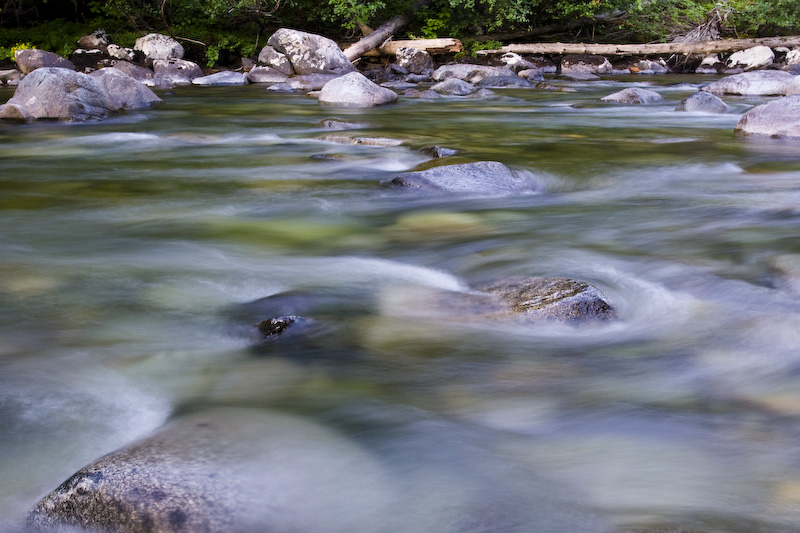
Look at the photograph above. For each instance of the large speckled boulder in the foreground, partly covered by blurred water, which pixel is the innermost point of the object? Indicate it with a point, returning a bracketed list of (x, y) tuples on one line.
[(231, 470)]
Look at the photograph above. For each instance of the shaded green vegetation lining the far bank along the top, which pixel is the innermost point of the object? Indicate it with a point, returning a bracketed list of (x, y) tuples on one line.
[(221, 29)]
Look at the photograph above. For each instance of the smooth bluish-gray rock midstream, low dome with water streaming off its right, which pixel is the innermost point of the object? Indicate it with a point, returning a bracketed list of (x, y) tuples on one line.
[(489, 177)]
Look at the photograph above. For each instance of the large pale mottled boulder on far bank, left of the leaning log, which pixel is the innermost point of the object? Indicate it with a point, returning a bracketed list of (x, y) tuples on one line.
[(309, 53)]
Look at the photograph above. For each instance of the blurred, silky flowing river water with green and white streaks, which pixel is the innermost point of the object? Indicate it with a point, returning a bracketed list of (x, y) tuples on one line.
[(128, 244)]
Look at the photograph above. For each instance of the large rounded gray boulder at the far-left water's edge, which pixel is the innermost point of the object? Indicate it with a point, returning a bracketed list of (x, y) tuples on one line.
[(62, 94)]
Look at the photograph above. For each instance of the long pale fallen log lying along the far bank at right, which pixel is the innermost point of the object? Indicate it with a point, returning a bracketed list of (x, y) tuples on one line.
[(698, 48)]
